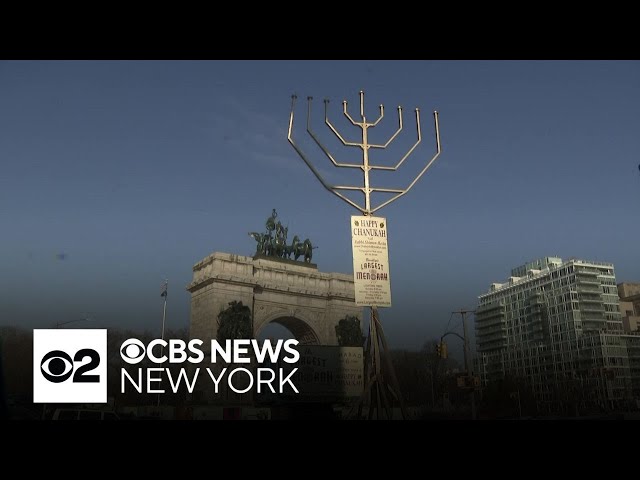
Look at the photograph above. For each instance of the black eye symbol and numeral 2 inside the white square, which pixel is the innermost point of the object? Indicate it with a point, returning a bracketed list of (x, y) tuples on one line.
[(57, 366)]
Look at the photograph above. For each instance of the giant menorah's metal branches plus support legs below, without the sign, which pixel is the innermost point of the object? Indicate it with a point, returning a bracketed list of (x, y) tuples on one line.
[(376, 346)]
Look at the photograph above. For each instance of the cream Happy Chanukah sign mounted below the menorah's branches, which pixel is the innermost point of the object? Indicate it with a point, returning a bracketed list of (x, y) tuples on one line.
[(370, 261)]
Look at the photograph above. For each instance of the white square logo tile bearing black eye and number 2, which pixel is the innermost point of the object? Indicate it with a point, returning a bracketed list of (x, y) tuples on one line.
[(69, 366)]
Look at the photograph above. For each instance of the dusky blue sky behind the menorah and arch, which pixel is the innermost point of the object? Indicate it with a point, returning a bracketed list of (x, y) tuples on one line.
[(115, 175)]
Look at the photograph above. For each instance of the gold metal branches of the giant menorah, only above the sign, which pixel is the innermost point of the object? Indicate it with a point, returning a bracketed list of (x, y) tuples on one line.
[(366, 166)]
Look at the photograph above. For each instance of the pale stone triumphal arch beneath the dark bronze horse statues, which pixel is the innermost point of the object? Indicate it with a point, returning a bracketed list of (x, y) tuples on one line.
[(293, 294)]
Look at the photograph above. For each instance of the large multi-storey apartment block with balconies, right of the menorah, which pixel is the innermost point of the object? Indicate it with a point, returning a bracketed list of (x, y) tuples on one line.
[(557, 326)]
